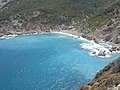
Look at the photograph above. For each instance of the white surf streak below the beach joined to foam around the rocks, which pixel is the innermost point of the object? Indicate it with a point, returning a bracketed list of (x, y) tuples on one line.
[(90, 45)]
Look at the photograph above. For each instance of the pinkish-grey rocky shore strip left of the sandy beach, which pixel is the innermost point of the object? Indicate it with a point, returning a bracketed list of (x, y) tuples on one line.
[(6, 31)]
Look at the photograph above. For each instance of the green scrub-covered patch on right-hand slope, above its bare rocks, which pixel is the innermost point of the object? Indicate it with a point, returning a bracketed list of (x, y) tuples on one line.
[(106, 12)]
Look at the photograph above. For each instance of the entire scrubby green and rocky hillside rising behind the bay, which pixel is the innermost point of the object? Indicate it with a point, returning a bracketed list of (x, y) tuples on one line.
[(96, 19)]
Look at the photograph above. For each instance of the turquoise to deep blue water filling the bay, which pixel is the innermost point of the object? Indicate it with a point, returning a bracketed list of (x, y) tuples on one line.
[(46, 62)]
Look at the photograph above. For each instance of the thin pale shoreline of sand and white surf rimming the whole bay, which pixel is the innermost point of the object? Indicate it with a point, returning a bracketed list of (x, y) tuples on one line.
[(101, 49)]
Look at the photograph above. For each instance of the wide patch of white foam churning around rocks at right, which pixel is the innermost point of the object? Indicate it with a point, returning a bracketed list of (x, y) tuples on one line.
[(95, 49)]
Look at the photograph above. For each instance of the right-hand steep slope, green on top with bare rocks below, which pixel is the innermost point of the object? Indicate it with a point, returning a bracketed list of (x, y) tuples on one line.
[(105, 25)]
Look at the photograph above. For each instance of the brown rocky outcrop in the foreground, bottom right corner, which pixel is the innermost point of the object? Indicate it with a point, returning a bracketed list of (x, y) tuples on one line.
[(106, 79)]
